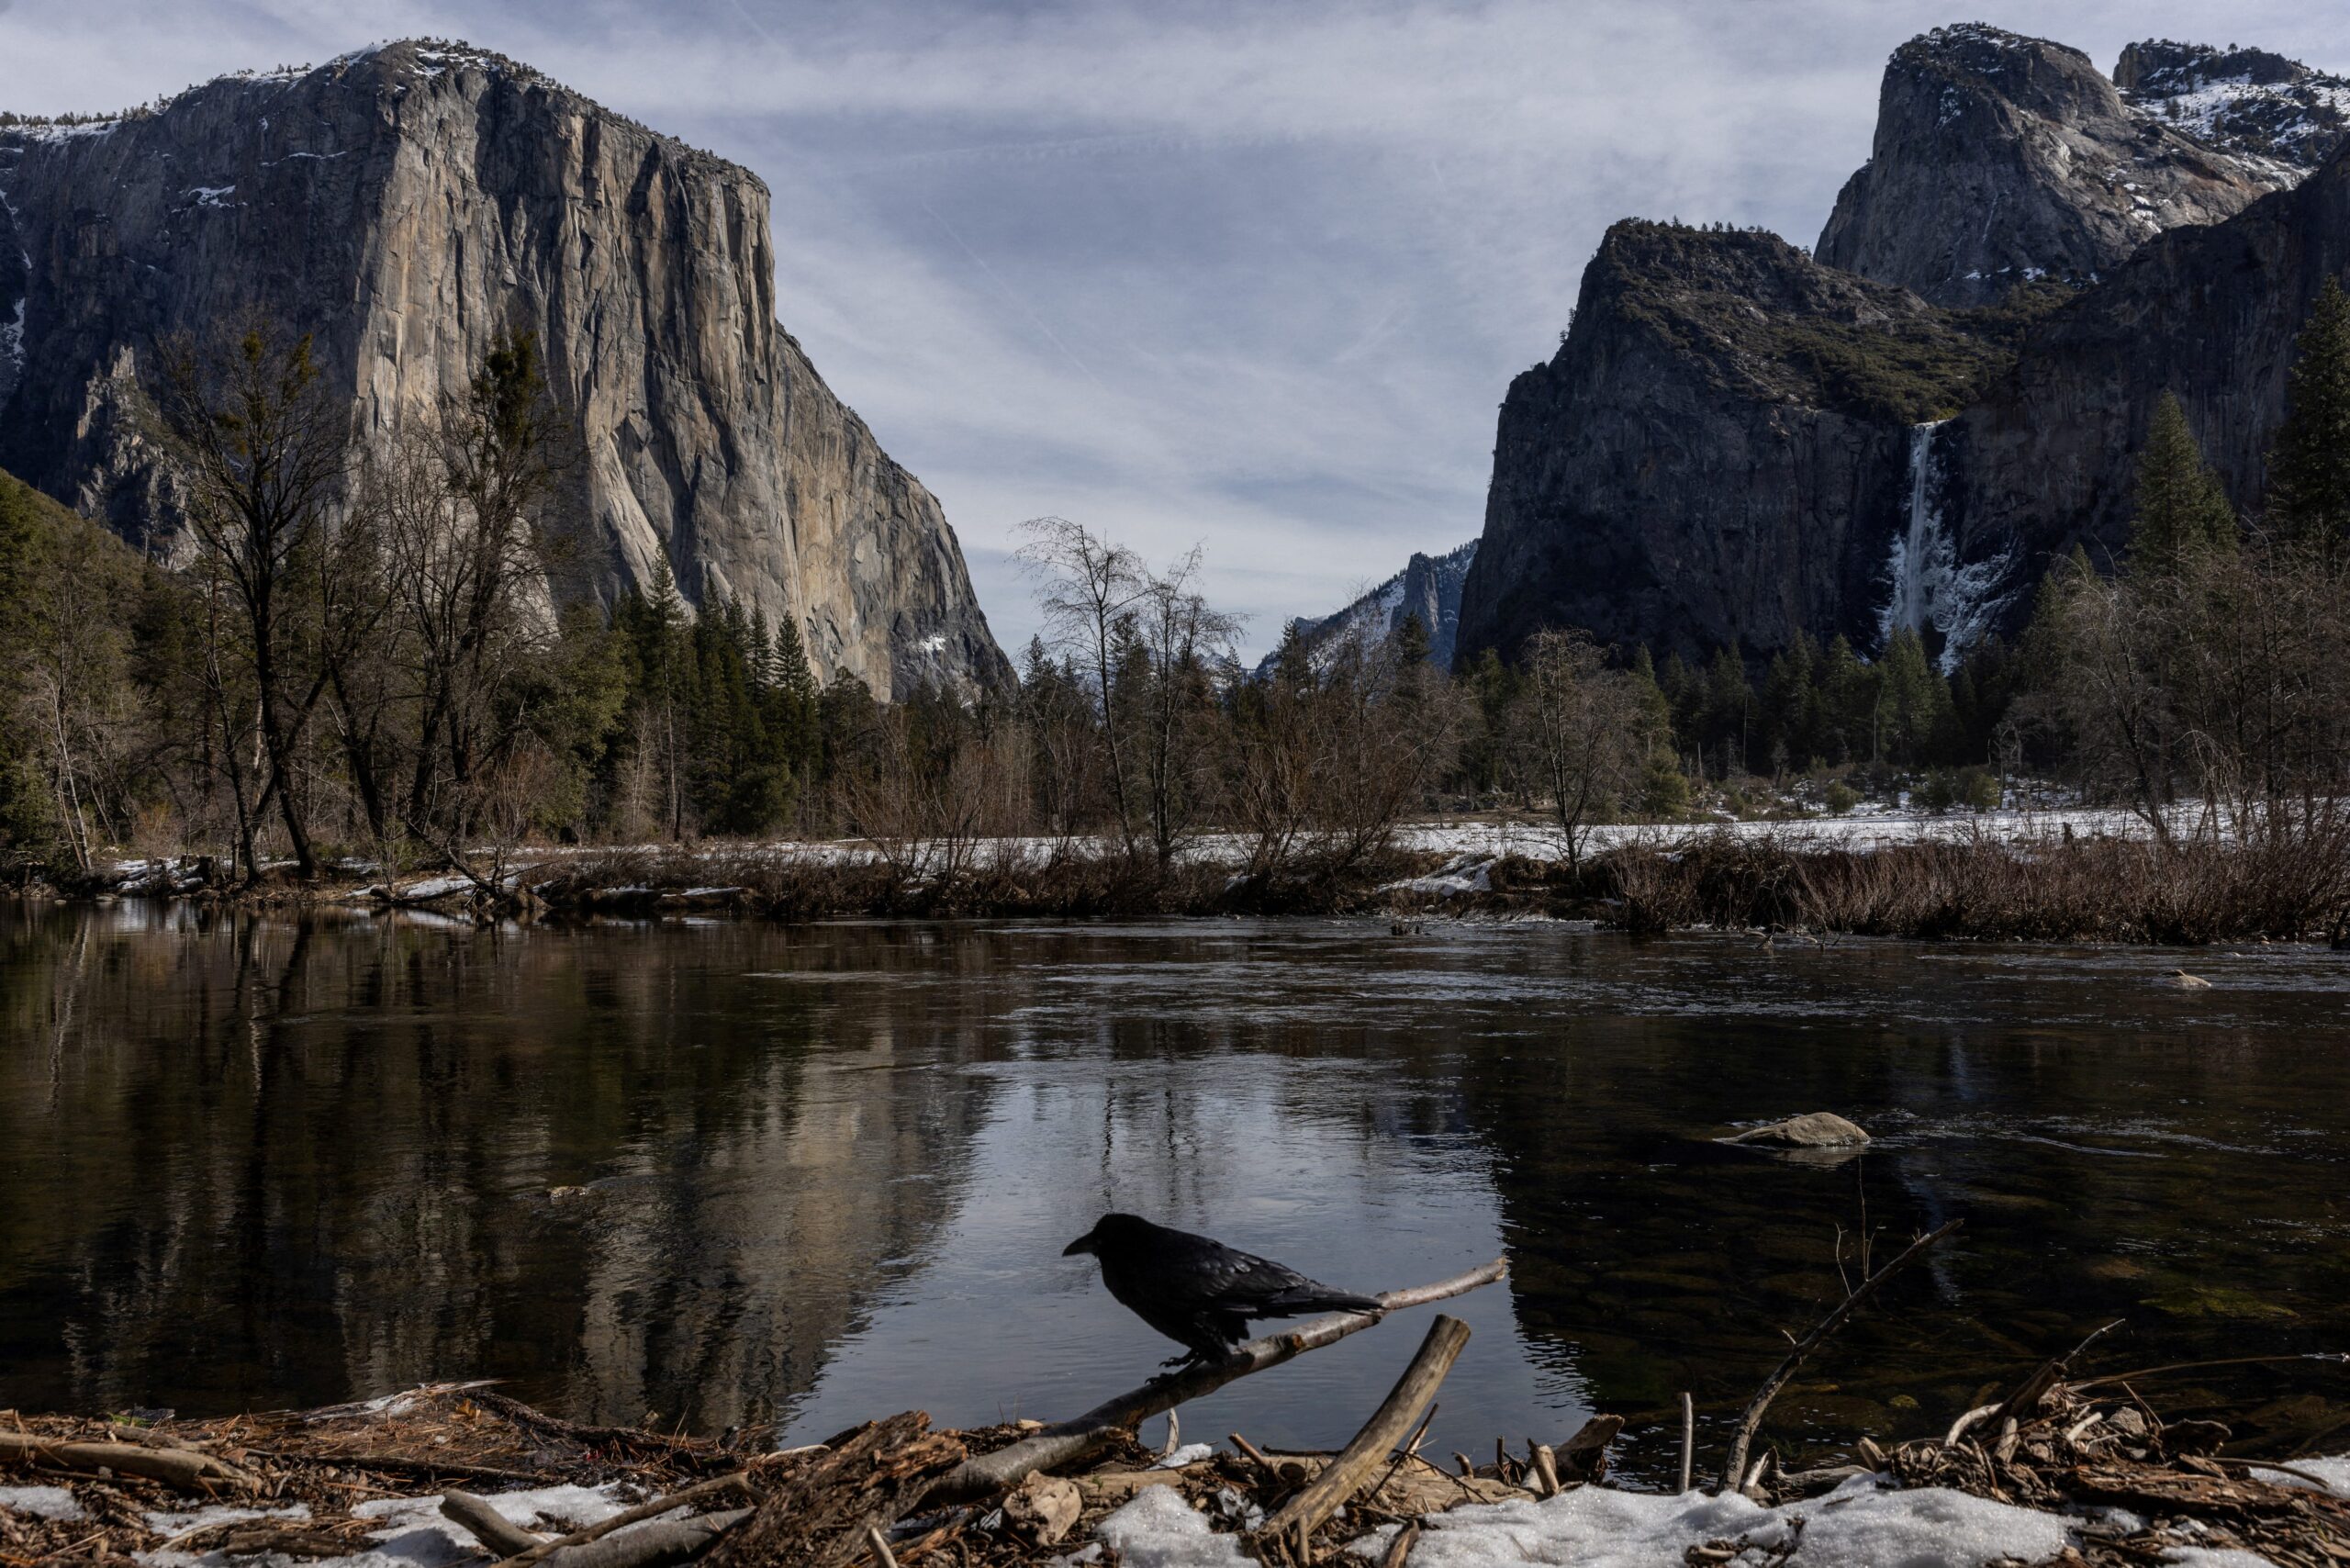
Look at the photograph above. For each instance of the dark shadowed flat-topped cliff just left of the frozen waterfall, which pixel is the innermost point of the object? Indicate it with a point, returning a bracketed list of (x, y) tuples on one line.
[(1719, 453)]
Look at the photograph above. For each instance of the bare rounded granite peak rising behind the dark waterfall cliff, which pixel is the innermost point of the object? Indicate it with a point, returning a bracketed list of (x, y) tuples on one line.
[(2006, 159)]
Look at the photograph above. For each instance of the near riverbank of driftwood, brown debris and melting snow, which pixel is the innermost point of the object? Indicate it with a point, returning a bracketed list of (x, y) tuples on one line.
[(2055, 1473)]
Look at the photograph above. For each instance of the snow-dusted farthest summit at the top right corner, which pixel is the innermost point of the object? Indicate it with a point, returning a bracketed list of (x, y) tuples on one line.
[(2243, 102)]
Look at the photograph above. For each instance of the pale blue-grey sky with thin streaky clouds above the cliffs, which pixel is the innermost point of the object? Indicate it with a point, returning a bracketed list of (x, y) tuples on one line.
[(1193, 272)]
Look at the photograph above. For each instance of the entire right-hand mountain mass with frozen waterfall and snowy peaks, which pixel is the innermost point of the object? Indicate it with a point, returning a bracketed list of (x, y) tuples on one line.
[(1738, 443)]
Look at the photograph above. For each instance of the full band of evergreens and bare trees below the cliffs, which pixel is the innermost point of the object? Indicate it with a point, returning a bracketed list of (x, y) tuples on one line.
[(387, 657)]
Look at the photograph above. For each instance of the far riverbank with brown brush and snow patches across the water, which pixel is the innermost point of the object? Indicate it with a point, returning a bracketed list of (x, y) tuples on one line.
[(1996, 878)]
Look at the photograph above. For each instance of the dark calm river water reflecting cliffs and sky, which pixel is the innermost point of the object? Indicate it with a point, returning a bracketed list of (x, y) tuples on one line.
[(828, 1170)]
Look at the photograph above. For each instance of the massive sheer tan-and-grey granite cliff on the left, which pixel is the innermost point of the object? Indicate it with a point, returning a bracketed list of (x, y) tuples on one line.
[(405, 206)]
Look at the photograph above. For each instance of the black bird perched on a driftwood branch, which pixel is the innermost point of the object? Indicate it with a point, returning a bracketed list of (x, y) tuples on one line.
[(1200, 1292)]
